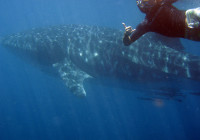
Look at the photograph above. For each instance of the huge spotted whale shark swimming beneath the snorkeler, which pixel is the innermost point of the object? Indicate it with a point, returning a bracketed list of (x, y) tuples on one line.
[(80, 52)]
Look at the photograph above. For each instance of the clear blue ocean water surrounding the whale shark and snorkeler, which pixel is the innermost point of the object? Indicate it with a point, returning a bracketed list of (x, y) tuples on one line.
[(38, 106)]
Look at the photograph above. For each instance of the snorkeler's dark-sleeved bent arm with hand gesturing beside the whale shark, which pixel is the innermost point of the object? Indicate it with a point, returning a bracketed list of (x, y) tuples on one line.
[(135, 34)]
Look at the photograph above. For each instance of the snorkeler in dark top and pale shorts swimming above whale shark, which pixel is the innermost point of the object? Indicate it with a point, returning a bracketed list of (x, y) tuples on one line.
[(163, 18)]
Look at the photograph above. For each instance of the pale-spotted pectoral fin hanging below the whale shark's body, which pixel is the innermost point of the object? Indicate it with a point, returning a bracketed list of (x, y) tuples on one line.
[(72, 76)]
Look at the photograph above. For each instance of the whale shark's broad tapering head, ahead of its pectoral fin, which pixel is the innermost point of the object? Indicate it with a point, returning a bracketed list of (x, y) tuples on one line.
[(38, 46)]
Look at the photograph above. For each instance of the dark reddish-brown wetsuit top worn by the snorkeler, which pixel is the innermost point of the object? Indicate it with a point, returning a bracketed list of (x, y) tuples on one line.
[(164, 19)]
